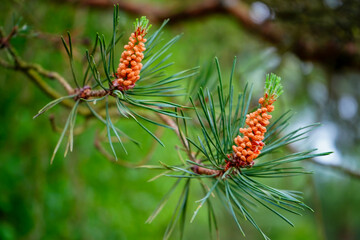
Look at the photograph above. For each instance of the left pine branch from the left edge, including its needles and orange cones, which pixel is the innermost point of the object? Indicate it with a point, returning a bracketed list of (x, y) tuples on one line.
[(115, 84)]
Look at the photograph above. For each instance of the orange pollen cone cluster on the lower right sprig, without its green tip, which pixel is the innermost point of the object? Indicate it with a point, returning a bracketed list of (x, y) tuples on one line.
[(248, 147)]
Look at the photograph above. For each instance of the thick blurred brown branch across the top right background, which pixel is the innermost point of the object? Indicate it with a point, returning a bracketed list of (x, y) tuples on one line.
[(308, 45)]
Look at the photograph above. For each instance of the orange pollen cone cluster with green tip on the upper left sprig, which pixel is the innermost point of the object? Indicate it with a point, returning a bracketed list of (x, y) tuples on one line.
[(130, 65)]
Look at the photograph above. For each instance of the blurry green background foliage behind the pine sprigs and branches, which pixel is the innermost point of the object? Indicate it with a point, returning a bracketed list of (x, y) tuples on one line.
[(84, 196)]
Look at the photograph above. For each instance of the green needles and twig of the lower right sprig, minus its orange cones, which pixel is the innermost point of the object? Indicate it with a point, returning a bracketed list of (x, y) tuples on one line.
[(237, 189)]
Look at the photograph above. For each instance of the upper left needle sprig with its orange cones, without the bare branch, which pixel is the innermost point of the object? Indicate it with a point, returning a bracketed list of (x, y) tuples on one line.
[(101, 81)]
